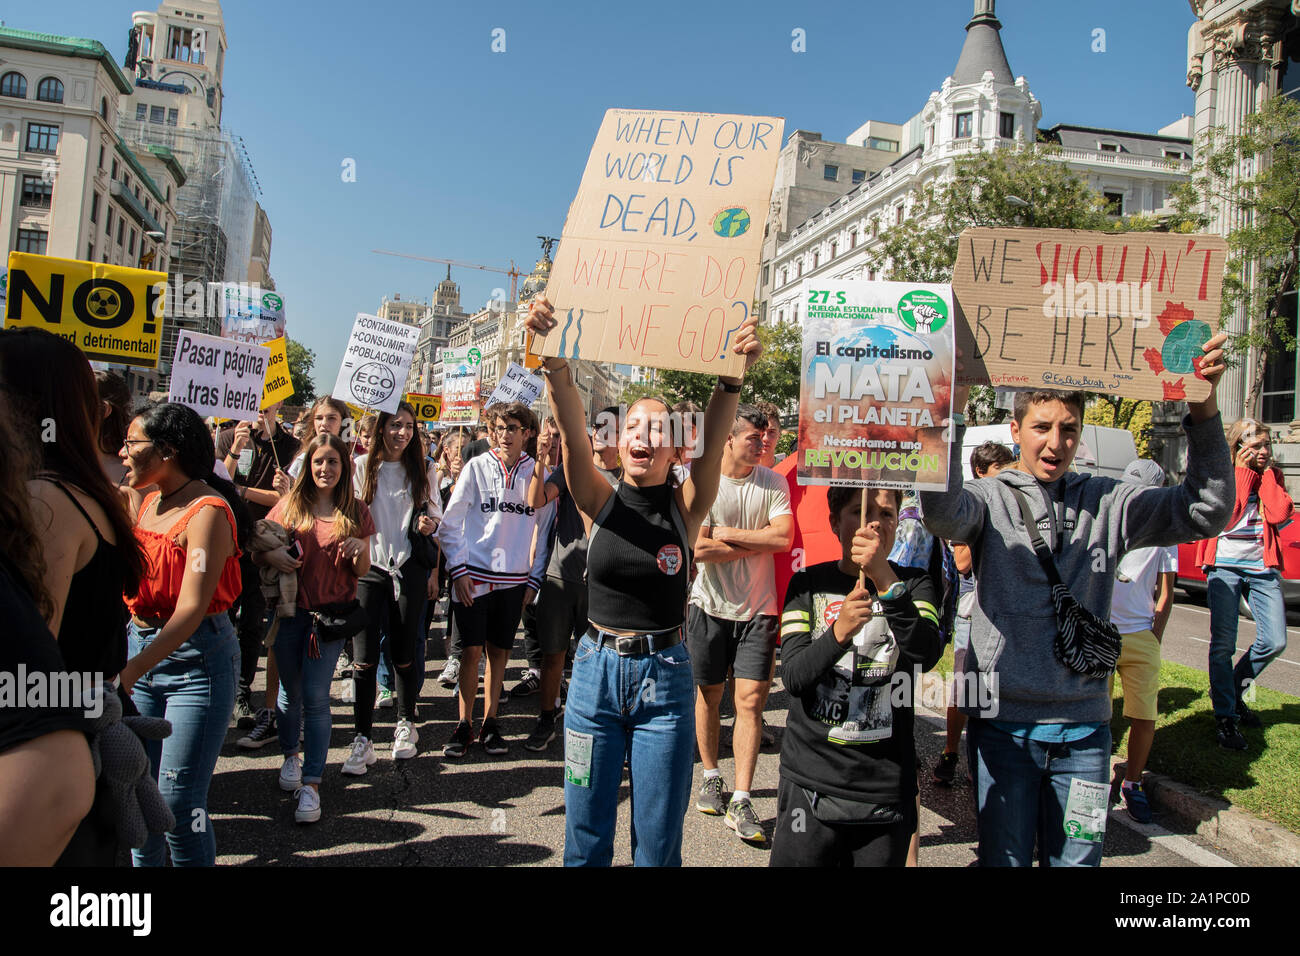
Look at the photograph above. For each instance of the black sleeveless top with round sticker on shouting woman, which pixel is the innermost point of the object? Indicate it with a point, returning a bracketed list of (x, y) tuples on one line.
[(639, 561)]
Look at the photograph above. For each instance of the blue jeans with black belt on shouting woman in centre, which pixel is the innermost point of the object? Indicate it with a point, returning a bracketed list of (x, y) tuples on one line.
[(643, 708)]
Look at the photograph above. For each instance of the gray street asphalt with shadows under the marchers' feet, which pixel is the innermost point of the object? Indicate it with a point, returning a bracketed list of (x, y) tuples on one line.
[(510, 811)]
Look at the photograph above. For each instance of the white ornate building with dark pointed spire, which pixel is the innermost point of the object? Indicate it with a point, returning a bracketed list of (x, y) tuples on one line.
[(826, 224)]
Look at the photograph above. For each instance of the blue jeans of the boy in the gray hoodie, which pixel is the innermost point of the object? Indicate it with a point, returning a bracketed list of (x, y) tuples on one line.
[(1021, 793)]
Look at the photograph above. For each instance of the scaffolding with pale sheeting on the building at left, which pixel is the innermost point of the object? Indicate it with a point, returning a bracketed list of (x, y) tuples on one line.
[(215, 213)]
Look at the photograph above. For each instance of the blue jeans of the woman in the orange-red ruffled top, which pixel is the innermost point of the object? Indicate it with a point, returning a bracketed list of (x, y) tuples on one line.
[(194, 689)]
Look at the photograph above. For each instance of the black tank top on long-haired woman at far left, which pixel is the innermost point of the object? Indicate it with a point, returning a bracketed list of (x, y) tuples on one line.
[(93, 634)]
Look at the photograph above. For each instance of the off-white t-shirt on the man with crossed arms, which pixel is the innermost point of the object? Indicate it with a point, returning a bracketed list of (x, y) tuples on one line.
[(743, 590)]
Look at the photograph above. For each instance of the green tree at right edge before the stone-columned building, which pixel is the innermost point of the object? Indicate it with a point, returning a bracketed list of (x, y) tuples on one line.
[(1258, 172)]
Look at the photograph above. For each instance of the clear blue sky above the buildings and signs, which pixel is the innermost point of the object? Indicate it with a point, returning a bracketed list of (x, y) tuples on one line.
[(467, 154)]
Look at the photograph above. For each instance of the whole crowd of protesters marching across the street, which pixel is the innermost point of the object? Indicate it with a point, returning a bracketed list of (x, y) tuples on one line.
[(640, 551)]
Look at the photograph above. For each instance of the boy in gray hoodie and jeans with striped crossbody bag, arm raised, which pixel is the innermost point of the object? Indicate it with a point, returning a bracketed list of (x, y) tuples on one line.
[(1039, 733)]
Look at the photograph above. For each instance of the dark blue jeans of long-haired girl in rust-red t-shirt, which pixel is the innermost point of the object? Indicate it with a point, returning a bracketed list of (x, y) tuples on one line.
[(305, 684)]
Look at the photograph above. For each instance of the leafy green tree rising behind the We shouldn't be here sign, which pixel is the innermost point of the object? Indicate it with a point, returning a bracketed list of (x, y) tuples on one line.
[(1006, 188)]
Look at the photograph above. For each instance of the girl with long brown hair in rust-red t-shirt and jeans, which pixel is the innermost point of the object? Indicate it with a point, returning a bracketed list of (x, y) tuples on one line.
[(332, 531)]
